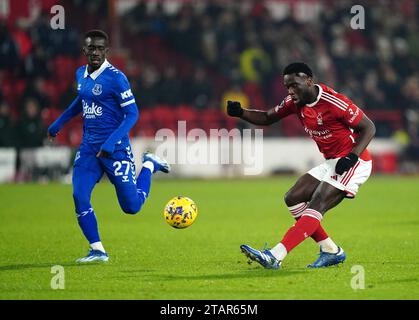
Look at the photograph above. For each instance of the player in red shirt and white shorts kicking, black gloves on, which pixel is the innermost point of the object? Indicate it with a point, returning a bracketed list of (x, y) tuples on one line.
[(342, 132)]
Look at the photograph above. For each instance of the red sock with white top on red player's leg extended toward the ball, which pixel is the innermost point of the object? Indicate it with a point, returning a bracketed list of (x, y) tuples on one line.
[(305, 227)]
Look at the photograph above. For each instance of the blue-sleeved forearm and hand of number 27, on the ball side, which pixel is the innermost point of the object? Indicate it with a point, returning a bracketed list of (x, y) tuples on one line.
[(131, 117)]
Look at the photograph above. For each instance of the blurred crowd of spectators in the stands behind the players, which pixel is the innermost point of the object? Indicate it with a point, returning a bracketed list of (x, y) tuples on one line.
[(202, 53)]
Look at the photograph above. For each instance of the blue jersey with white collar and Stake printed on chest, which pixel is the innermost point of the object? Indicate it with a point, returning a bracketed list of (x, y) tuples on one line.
[(103, 94)]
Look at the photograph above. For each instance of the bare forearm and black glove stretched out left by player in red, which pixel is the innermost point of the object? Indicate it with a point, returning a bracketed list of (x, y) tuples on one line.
[(257, 117)]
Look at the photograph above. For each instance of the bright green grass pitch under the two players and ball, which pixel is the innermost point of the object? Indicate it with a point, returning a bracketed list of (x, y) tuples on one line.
[(151, 260)]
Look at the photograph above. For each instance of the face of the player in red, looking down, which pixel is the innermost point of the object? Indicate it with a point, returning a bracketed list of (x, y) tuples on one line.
[(299, 88)]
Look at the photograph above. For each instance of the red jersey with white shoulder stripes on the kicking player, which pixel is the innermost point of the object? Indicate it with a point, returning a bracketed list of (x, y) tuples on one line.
[(329, 121)]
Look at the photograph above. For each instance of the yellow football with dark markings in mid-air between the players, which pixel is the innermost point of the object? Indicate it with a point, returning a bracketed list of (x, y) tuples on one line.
[(180, 212)]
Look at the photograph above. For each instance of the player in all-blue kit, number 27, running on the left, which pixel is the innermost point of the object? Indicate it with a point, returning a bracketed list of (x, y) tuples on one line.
[(109, 111)]
